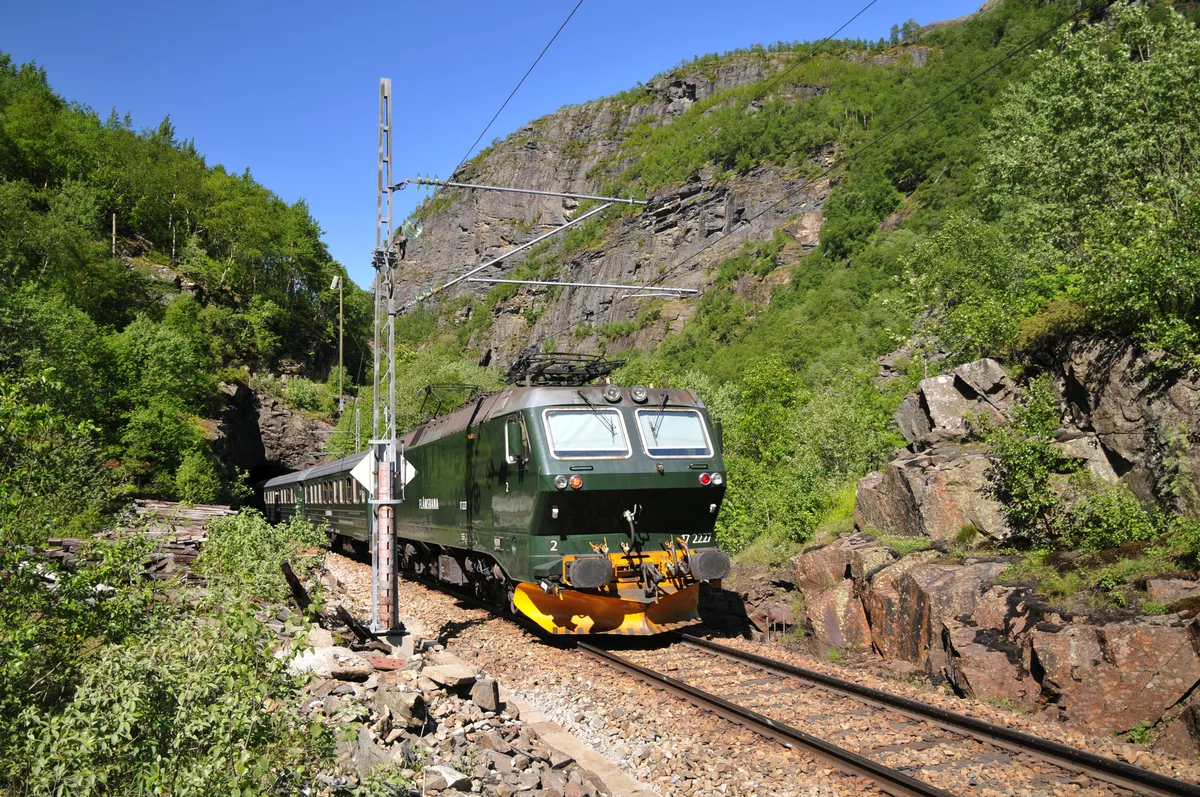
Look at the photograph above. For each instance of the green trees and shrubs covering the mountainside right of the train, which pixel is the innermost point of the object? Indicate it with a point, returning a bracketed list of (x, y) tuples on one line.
[(1051, 196)]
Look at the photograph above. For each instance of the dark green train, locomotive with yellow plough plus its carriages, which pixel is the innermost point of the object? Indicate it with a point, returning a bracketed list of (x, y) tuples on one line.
[(590, 510)]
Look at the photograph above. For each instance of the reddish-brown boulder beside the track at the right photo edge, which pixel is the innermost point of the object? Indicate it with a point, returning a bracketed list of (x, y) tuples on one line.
[(1117, 676)]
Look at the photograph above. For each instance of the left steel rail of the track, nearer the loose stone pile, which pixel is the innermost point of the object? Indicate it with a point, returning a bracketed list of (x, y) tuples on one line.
[(891, 781)]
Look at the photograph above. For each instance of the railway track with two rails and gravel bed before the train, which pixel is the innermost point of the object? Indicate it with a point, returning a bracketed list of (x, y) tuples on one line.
[(905, 747)]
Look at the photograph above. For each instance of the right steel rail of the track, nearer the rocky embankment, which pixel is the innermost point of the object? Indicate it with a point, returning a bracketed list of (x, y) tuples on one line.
[(1119, 774)]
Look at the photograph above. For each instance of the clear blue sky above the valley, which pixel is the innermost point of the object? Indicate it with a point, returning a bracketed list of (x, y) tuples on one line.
[(291, 89)]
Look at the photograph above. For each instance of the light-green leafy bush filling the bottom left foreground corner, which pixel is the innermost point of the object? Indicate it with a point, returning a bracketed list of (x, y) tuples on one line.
[(199, 706)]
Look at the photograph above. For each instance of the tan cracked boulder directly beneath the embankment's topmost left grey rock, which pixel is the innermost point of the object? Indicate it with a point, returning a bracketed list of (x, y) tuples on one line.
[(931, 495)]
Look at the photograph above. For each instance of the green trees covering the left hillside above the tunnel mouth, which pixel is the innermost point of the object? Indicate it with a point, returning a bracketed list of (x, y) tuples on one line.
[(213, 277)]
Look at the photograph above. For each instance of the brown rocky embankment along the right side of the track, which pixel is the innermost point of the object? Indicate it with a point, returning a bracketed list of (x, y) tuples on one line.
[(961, 618)]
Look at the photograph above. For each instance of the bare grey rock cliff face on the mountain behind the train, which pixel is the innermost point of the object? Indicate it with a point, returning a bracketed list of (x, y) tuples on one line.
[(578, 149)]
